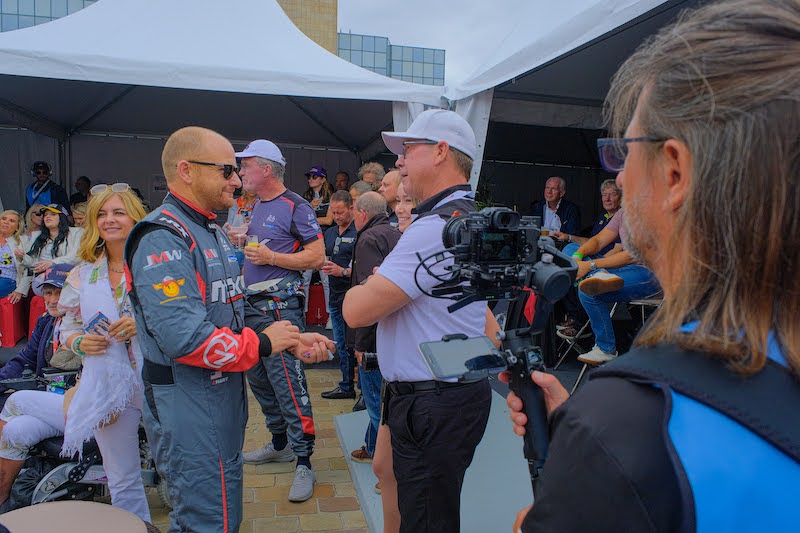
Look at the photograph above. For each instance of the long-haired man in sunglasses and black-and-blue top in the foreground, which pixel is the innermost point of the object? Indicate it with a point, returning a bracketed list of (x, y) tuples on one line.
[(706, 119)]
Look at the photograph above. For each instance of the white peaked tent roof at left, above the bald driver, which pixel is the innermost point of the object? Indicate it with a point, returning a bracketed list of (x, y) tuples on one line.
[(244, 46)]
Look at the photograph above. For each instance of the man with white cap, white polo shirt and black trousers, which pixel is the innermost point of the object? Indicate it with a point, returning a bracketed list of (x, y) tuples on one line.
[(435, 425)]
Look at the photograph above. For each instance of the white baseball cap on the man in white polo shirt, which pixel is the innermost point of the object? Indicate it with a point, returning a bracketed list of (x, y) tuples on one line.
[(435, 125)]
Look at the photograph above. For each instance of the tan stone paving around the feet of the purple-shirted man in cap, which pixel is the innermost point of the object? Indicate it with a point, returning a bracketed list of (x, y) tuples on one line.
[(333, 507)]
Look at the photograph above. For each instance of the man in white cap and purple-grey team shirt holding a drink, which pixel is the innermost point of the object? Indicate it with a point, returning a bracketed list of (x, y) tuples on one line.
[(289, 241)]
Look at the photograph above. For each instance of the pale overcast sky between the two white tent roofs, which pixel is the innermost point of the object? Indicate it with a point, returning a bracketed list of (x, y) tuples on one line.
[(467, 34)]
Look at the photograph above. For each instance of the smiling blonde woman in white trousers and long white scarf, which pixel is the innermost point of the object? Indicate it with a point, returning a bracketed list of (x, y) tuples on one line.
[(108, 401)]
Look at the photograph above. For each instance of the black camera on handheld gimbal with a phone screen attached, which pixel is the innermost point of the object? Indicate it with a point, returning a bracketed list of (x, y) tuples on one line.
[(496, 254)]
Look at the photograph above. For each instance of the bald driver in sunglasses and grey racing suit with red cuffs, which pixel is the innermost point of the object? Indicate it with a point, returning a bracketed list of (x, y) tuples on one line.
[(199, 335)]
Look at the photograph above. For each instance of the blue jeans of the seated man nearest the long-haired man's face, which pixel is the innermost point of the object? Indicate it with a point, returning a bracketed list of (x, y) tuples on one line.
[(640, 282)]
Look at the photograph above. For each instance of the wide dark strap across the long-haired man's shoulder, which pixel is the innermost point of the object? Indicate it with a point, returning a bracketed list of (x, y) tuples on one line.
[(766, 403)]
